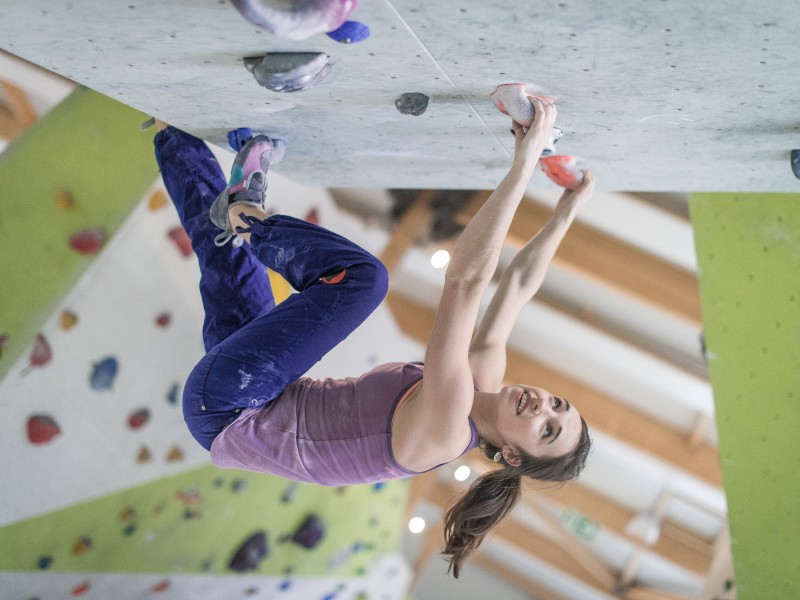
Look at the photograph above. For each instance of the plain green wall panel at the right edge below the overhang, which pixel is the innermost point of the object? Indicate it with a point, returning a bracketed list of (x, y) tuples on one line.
[(748, 249)]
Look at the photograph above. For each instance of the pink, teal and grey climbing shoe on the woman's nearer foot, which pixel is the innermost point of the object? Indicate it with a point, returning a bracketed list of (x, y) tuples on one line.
[(248, 183)]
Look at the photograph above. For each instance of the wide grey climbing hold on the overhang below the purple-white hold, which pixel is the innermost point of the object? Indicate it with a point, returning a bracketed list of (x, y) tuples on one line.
[(288, 71)]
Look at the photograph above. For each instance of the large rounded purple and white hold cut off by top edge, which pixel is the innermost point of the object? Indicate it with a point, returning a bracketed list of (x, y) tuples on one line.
[(296, 19)]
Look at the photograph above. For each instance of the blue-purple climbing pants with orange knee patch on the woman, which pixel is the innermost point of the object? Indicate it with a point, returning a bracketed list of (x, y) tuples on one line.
[(255, 348)]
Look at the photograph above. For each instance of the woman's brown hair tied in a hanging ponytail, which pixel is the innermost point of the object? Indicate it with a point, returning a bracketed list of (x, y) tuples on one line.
[(492, 496)]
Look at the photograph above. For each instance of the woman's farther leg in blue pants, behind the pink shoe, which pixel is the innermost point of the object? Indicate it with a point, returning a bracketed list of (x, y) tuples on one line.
[(234, 285)]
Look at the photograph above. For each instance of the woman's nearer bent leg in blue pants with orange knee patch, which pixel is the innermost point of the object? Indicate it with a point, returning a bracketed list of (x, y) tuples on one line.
[(339, 284)]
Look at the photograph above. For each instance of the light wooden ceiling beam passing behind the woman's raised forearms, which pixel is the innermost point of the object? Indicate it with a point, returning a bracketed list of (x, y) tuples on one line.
[(600, 257)]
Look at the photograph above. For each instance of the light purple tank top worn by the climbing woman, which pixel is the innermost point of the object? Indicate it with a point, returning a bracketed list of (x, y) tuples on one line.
[(330, 432)]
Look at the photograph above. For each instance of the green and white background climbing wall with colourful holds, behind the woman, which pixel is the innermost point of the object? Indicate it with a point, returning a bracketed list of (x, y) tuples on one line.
[(104, 490)]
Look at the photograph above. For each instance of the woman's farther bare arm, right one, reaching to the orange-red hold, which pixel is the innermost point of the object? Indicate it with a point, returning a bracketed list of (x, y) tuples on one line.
[(520, 281)]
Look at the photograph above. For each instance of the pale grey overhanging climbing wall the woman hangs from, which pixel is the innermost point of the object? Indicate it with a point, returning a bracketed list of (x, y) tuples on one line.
[(673, 95)]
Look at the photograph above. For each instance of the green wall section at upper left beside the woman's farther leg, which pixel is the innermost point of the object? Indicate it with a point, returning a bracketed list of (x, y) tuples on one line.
[(90, 147)]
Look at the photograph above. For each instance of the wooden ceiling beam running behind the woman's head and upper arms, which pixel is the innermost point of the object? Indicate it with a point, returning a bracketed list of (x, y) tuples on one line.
[(599, 410)]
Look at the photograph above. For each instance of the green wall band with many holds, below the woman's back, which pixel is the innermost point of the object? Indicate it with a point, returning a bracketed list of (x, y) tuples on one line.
[(195, 522)]
